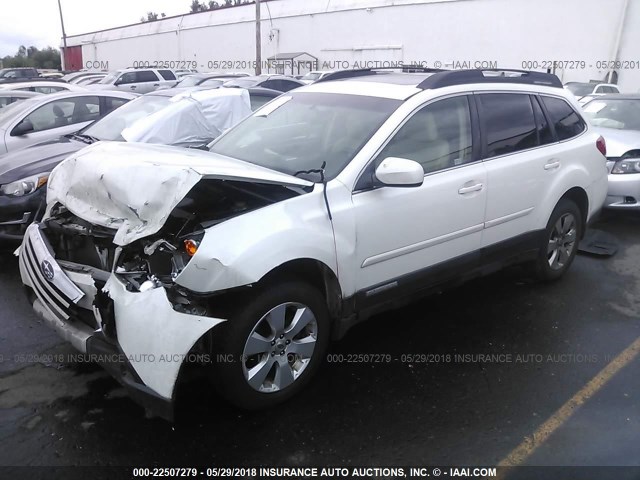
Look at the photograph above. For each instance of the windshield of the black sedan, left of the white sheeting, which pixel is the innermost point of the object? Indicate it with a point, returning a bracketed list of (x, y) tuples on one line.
[(111, 126)]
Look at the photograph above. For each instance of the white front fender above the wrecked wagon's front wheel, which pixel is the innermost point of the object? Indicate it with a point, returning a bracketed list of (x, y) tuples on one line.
[(243, 249)]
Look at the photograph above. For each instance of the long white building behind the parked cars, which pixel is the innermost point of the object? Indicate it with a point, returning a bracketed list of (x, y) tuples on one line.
[(579, 39)]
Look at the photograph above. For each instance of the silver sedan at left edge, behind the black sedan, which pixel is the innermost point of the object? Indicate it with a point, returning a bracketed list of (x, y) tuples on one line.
[(46, 117)]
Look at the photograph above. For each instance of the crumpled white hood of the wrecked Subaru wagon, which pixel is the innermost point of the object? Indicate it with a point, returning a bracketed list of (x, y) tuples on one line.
[(133, 188)]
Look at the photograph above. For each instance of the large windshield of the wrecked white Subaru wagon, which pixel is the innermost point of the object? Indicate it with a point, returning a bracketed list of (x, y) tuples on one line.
[(300, 131)]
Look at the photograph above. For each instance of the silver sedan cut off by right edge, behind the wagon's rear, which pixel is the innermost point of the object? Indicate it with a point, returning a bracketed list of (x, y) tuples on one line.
[(617, 118)]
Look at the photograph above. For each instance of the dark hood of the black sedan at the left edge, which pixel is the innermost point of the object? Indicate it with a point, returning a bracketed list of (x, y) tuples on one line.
[(36, 159)]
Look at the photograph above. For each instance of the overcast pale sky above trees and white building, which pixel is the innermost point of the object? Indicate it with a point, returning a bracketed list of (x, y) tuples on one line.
[(37, 22)]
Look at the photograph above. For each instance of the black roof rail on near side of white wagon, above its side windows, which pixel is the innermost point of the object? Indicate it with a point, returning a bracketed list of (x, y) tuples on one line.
[(495, 75)]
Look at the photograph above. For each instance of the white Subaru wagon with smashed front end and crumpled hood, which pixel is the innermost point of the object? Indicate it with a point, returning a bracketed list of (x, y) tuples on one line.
[(332, 202)]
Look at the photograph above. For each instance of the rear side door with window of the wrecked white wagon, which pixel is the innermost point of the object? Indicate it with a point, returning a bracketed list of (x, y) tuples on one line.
[(519, 167)]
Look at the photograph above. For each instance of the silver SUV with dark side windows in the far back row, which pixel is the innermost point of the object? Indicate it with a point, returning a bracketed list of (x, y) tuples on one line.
[(136, 80)]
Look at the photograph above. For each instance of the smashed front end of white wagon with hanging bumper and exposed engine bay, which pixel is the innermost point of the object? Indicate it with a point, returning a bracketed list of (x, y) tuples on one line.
[(122, 301)]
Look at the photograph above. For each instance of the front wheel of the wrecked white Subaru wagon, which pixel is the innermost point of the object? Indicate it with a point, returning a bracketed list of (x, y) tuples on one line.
[(271, 358)]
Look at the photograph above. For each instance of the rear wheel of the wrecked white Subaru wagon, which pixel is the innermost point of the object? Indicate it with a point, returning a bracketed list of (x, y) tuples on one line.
[(560, 241)]
